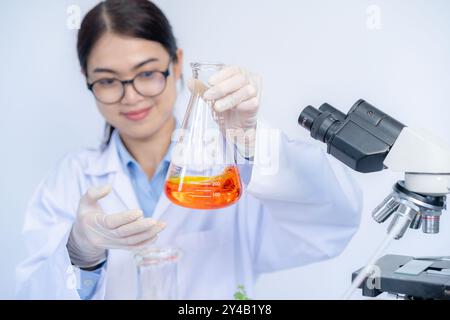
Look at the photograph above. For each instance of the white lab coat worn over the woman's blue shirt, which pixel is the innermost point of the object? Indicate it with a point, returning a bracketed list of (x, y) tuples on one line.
[(306, 211)]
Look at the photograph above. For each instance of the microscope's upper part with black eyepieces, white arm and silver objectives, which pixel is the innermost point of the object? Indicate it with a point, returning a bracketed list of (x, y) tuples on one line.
[(368, 140)]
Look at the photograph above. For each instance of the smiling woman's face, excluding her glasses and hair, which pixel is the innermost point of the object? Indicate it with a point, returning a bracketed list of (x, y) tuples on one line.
[(119, 57)]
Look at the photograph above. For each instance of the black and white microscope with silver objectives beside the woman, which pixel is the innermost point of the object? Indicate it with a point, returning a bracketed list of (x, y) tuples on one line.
[(368, 140)]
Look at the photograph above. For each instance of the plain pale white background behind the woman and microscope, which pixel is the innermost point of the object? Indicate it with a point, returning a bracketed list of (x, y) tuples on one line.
[(308, 52)]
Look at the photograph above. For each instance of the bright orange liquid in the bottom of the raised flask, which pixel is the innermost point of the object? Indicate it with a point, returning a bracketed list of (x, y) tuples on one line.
[(205, 192)]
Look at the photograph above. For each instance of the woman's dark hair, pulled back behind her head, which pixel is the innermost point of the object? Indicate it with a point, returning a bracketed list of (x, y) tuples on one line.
[(134, 18)]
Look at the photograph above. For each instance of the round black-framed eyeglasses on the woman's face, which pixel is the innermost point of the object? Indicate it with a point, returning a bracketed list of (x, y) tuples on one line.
[(147, 84)]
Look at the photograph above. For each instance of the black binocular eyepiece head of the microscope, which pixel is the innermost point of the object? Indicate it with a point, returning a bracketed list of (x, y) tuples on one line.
[(360, 139)]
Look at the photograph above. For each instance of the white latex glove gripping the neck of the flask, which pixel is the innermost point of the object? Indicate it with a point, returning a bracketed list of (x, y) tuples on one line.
[(236, 93)]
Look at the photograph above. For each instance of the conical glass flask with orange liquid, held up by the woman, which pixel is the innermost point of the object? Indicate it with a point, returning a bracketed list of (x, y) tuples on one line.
[(203, 173)]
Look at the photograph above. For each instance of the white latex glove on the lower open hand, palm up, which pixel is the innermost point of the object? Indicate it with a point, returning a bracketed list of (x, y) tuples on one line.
[(94, 232)]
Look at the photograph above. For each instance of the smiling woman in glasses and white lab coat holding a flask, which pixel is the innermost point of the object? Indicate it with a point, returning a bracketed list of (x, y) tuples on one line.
[(97, 207)]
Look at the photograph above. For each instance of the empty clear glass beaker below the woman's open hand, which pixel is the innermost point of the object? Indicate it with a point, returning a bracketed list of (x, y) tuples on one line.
[(157, 273)]
